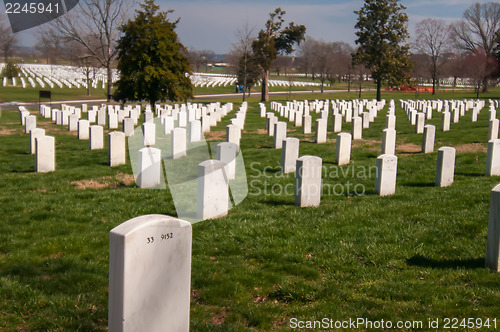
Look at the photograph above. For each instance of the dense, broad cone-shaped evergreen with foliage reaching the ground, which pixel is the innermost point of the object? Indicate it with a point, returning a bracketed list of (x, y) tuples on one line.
[(152, 62)]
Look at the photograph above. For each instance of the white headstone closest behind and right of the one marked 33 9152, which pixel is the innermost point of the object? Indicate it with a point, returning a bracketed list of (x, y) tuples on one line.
[(213, 190)]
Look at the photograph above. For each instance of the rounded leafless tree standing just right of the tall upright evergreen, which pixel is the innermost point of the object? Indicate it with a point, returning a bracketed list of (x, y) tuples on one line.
[(433, 40)]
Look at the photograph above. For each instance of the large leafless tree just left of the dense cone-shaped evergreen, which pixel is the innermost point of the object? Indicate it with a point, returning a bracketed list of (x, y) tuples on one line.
[(95, 24)]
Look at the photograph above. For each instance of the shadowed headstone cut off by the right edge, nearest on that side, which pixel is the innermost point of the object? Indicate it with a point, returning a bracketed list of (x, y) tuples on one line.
[(493, 241)]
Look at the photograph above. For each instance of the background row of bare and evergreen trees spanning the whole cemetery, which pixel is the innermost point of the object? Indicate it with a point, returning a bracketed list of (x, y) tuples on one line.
[(102, 33)]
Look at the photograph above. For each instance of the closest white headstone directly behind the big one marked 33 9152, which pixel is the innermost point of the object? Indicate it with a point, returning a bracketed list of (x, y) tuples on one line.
[(149, 168)]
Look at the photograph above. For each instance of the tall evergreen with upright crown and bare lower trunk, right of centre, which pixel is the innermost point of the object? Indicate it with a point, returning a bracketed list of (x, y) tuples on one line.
[(382, 34)]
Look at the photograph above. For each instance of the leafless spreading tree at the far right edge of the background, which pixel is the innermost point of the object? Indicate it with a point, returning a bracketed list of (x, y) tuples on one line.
[(477, 31)]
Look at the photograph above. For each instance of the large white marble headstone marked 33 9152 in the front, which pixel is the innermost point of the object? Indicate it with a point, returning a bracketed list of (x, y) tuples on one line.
[(150, 275)]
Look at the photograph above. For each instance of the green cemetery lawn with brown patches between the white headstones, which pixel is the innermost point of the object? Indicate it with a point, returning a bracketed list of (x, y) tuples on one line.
[(416, 255)]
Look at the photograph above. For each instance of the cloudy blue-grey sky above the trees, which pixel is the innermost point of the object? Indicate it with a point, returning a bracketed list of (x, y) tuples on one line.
[(213, 24)]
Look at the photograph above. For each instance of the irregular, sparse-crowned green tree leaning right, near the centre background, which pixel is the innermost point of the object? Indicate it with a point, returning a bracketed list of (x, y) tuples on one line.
[(275, 39)]
